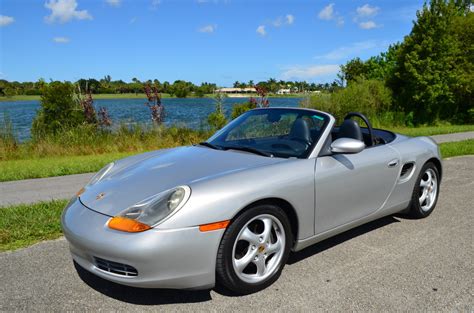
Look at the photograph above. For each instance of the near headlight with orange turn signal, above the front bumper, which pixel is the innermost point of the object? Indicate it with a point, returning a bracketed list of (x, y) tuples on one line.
[(149, 212)]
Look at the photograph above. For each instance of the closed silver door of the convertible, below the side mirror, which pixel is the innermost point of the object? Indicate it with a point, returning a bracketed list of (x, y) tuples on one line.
[(351, 186)]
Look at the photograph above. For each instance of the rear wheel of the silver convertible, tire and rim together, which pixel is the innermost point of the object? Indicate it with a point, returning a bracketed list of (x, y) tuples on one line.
[(426, 189)]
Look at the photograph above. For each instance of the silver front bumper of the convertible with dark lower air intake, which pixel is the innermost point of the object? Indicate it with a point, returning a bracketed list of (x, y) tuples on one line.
[(179, 258)]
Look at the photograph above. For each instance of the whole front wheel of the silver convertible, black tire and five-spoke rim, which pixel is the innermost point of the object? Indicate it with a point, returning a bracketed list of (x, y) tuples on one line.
[(251, 238)]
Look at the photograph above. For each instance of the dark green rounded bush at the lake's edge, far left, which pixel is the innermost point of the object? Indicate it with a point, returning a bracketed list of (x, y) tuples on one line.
[(59, 110)]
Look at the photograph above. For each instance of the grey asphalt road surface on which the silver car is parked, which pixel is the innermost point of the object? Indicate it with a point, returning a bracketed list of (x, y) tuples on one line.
[(394, 264)]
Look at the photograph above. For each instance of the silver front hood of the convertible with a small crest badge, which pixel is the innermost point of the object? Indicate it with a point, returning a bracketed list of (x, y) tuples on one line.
[(137, 178)]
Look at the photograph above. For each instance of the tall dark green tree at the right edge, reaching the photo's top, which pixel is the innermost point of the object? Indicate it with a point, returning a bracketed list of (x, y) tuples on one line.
[(430, 79)]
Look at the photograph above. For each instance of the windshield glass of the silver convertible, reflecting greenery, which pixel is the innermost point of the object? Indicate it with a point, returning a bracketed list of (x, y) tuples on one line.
[(273, 132)]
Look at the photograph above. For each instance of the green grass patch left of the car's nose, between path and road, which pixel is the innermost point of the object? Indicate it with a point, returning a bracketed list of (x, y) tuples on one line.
[(24, 225)]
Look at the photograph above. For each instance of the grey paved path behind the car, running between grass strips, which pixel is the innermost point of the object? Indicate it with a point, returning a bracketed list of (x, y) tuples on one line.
[(63, 187)]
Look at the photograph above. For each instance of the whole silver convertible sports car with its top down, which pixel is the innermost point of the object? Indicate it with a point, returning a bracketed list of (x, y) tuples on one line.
[(230, 209)]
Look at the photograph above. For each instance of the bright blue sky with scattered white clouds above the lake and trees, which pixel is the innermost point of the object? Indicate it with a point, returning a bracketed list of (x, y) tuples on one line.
[(219, 41)]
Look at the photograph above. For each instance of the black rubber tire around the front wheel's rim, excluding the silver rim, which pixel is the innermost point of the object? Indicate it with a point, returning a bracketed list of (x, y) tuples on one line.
[(225, 272)]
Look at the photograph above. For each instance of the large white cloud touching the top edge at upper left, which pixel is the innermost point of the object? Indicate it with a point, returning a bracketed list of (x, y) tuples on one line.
[(64, 11)]
